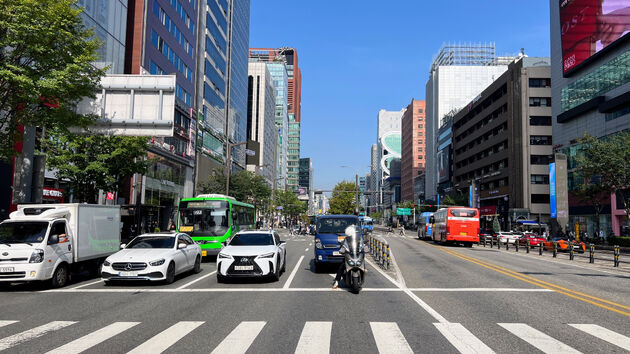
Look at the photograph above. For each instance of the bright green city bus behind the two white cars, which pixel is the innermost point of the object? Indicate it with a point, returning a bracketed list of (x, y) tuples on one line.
[(212, 220)]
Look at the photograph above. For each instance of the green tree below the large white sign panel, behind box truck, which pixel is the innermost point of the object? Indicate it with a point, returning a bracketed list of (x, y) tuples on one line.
[(95, 162)]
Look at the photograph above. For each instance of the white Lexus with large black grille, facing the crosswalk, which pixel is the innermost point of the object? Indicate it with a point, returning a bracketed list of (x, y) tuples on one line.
[(252, 254)]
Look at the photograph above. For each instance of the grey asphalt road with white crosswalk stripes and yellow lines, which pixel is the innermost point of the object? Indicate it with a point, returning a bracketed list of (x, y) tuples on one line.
[(435, 299)]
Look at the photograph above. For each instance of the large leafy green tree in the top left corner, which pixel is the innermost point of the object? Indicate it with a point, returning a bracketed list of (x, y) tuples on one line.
[(46, 57)]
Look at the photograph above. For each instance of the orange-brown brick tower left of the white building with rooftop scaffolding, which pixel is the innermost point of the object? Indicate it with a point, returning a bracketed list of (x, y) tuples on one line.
[(413, 127)]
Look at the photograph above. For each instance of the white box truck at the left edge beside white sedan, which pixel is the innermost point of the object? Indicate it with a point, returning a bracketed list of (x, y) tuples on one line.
[(48, 241)]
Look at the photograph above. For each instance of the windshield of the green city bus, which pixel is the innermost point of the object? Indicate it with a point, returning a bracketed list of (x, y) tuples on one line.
[(199, 219)]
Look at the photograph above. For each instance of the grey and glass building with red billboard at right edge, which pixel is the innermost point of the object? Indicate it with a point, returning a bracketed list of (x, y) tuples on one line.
[(590, 85)]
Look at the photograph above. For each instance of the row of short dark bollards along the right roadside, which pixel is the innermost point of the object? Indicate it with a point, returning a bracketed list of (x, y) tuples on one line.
[(588, 253)]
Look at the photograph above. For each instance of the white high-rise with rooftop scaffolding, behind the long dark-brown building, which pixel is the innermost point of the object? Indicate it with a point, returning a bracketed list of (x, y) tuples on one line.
[(458, 73)]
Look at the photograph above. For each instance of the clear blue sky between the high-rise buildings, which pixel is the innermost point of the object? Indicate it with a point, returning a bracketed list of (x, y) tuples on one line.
[(361, 56)]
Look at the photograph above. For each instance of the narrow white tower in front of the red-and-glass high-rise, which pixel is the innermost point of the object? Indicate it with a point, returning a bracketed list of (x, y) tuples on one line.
[(261, 126)]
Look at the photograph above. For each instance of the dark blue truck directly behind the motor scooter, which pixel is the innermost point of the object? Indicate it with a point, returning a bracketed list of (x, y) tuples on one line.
[(329, 231)]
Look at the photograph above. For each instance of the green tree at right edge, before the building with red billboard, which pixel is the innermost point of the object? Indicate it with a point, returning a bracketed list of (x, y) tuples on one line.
[(608, 159)]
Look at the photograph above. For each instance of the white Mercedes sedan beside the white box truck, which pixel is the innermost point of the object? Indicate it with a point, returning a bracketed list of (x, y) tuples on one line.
[(155, 257)]
